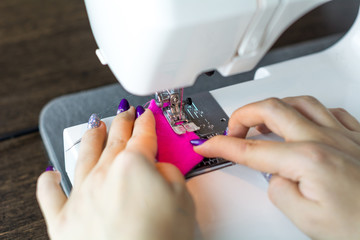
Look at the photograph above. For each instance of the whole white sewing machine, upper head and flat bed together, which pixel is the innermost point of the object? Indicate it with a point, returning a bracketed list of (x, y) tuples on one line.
[(156, 45)]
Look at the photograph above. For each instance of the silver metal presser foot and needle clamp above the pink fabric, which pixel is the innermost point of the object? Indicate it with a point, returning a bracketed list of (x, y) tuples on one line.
[(172, 104)]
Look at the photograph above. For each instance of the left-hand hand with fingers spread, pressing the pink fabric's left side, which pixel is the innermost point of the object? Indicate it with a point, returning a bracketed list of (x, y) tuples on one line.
[(119, 190)]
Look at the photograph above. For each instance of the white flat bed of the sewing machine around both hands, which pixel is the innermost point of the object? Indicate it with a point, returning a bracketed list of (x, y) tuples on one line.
[(232, 202)]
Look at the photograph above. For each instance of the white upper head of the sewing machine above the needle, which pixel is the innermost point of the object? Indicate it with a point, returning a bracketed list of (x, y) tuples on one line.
[(165, 44)]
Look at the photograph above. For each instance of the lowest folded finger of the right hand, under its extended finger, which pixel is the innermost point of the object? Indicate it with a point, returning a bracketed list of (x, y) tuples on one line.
[(286, 196)]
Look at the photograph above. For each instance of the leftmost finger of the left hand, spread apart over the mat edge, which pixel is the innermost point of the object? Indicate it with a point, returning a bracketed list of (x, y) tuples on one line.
[(50, 196)]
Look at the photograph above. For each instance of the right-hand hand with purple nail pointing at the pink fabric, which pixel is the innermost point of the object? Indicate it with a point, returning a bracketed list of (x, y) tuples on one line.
[(316, 171)]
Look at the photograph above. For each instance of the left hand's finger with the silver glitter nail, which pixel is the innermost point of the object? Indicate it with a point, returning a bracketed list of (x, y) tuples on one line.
[(91, 147)]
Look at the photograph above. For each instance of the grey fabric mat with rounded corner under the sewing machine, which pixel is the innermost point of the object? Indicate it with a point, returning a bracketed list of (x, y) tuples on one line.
[(74, 109)]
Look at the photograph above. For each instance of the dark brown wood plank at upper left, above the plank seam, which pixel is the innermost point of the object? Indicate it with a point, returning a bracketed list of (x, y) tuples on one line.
[(47, 50)]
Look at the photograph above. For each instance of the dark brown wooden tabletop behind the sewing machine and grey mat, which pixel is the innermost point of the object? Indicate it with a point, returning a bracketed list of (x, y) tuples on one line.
[(47, 50)]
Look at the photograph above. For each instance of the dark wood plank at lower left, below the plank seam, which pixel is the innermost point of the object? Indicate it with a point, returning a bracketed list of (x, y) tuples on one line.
[(22, 161)]
